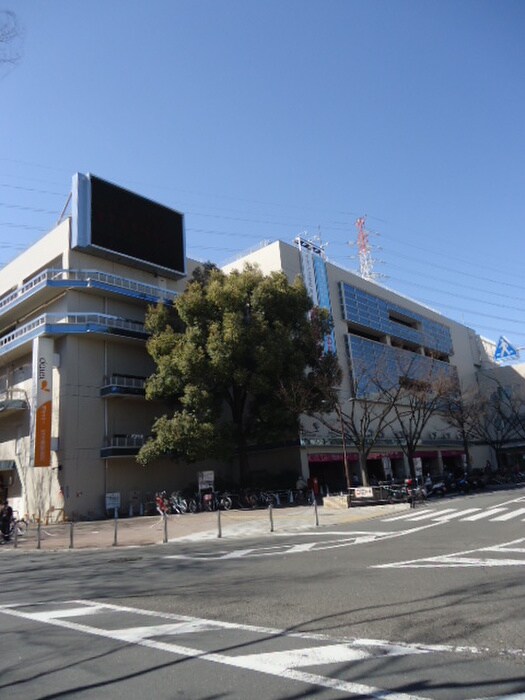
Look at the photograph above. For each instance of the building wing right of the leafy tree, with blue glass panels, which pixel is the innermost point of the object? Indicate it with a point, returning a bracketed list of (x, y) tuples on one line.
[(377, 328)]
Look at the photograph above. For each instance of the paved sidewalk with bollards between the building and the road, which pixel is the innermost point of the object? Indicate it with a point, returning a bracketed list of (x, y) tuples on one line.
[(198, 527)]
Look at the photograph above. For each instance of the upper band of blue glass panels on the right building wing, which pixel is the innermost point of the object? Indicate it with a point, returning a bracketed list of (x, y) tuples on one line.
[(376, 314)]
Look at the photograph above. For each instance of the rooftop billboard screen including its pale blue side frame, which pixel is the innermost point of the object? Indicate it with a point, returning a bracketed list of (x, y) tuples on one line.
[(116, 223)]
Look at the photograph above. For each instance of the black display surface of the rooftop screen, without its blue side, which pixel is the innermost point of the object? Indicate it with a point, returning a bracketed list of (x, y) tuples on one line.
[(133, 226)]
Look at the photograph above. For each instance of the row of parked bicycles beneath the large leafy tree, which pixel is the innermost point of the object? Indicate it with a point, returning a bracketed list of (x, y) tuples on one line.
[(209, 500)]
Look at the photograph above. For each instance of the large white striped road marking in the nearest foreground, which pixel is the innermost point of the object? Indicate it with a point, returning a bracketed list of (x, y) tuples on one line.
[(311, 659)]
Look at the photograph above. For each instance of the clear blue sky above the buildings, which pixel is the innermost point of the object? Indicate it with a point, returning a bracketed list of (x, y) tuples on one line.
[(265, 119)]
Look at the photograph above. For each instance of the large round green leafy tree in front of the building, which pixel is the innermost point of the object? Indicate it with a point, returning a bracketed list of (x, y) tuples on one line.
[(227, 354)]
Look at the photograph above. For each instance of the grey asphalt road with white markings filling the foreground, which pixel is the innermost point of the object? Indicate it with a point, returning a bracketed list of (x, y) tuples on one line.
[(421, 604)]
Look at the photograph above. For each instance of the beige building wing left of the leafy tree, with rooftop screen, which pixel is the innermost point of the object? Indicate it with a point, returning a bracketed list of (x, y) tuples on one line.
[(73, 363)]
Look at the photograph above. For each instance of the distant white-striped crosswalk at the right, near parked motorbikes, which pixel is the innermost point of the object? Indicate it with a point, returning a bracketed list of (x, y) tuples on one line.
[(496, 514)]
